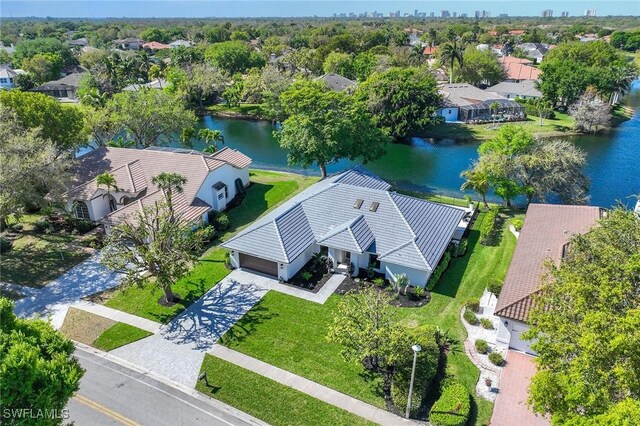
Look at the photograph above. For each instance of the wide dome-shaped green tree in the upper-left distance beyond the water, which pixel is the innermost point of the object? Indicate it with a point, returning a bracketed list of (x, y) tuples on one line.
[(234, 56)]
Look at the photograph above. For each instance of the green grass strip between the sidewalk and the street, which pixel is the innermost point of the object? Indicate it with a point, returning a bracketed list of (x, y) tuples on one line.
[(268, 400)]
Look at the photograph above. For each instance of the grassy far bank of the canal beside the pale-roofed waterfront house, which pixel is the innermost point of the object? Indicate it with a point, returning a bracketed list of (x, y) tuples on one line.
[(562, 125)]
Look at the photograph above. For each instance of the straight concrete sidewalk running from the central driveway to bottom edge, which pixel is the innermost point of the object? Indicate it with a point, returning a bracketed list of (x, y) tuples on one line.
[(309, 387)]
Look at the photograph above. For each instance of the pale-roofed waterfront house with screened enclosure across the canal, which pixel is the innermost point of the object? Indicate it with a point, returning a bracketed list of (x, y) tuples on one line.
[(467, 103)]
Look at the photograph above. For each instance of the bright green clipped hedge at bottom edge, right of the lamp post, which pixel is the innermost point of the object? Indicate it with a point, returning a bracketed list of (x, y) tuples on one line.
[(452, 409)]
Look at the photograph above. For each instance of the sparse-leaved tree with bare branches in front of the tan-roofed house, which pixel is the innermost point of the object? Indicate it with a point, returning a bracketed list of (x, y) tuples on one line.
[(154, 245)]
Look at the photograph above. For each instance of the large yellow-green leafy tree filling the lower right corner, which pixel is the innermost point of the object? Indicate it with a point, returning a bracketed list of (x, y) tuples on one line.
[(586, 318)]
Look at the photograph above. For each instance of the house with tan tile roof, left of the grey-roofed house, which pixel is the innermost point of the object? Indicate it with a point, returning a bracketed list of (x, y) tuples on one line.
[(212, 181)]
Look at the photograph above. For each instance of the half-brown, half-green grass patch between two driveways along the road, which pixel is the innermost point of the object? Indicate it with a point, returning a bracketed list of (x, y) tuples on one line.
[(99, 332)]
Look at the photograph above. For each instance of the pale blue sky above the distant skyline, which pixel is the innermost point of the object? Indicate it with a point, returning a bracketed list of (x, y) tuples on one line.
[(300, 8)]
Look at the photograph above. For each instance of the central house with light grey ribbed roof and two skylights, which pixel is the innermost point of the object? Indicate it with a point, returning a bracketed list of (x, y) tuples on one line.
[(357, 220)]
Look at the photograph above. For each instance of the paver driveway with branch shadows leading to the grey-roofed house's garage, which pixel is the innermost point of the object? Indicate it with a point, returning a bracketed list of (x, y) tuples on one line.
[(178, 349)]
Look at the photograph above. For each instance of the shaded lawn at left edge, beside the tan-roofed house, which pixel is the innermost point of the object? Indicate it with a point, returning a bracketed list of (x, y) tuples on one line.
[(37, 258)]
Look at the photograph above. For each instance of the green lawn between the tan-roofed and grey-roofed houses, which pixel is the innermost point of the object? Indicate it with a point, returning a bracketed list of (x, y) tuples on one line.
[(268, 189)]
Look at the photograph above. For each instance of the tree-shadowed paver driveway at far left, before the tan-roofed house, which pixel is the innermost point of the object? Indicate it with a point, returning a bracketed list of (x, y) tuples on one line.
[(87, 278)]
